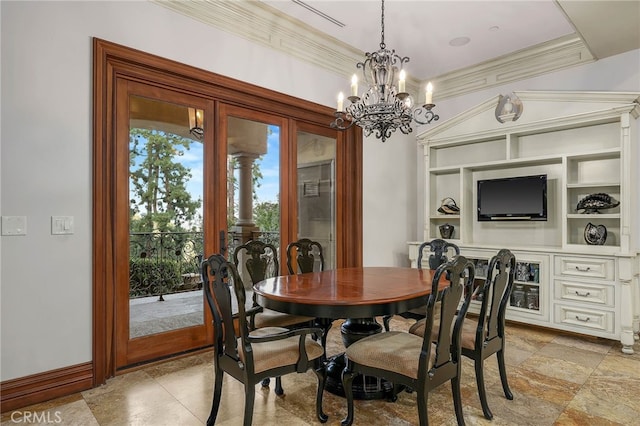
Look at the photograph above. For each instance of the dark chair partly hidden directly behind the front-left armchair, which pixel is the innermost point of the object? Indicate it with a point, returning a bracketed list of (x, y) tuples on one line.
[(260, 260)]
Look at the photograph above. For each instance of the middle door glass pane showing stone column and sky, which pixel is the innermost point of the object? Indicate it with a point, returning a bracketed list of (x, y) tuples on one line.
[(253, 204)]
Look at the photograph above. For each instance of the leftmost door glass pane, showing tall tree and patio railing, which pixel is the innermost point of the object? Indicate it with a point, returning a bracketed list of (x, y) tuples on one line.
[(165, 220)]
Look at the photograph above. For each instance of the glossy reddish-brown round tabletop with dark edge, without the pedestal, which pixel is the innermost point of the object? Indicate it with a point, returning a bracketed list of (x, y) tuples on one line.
[(358, 292)]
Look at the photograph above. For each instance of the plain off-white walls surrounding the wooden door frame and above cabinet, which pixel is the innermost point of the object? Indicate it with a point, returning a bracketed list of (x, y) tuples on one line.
[(45, 150)]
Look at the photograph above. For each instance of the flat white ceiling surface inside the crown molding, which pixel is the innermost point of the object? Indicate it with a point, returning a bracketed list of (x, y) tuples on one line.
[(424, 29)]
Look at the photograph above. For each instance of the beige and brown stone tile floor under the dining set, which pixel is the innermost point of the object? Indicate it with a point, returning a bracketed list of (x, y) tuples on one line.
[(556, 379)]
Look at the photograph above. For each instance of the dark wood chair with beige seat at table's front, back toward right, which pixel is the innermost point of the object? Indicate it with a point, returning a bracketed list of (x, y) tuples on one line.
[(416, 362)]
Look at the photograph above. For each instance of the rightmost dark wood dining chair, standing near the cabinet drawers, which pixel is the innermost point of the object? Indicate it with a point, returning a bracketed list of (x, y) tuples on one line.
[(484, 335)]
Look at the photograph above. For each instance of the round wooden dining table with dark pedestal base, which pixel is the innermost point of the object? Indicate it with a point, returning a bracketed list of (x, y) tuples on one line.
[(355, 294)]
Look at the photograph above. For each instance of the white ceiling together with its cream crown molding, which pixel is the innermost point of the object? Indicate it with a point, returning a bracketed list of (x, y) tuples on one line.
[(509, 40)]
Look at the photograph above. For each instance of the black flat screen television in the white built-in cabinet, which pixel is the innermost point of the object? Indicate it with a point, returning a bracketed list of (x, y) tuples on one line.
[(514, 198)]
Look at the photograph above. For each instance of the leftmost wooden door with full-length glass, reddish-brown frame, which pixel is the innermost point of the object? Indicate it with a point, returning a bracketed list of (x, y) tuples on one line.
[(163, 154)]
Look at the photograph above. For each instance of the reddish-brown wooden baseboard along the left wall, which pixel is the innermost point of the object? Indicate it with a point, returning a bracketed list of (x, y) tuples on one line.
[(36, 388)]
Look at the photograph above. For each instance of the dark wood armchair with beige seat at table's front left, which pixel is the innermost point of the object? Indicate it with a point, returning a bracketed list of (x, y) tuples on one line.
[(251, 356)]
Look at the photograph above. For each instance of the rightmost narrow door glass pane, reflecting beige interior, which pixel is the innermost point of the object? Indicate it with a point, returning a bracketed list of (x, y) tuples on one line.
[(316, 192)]
